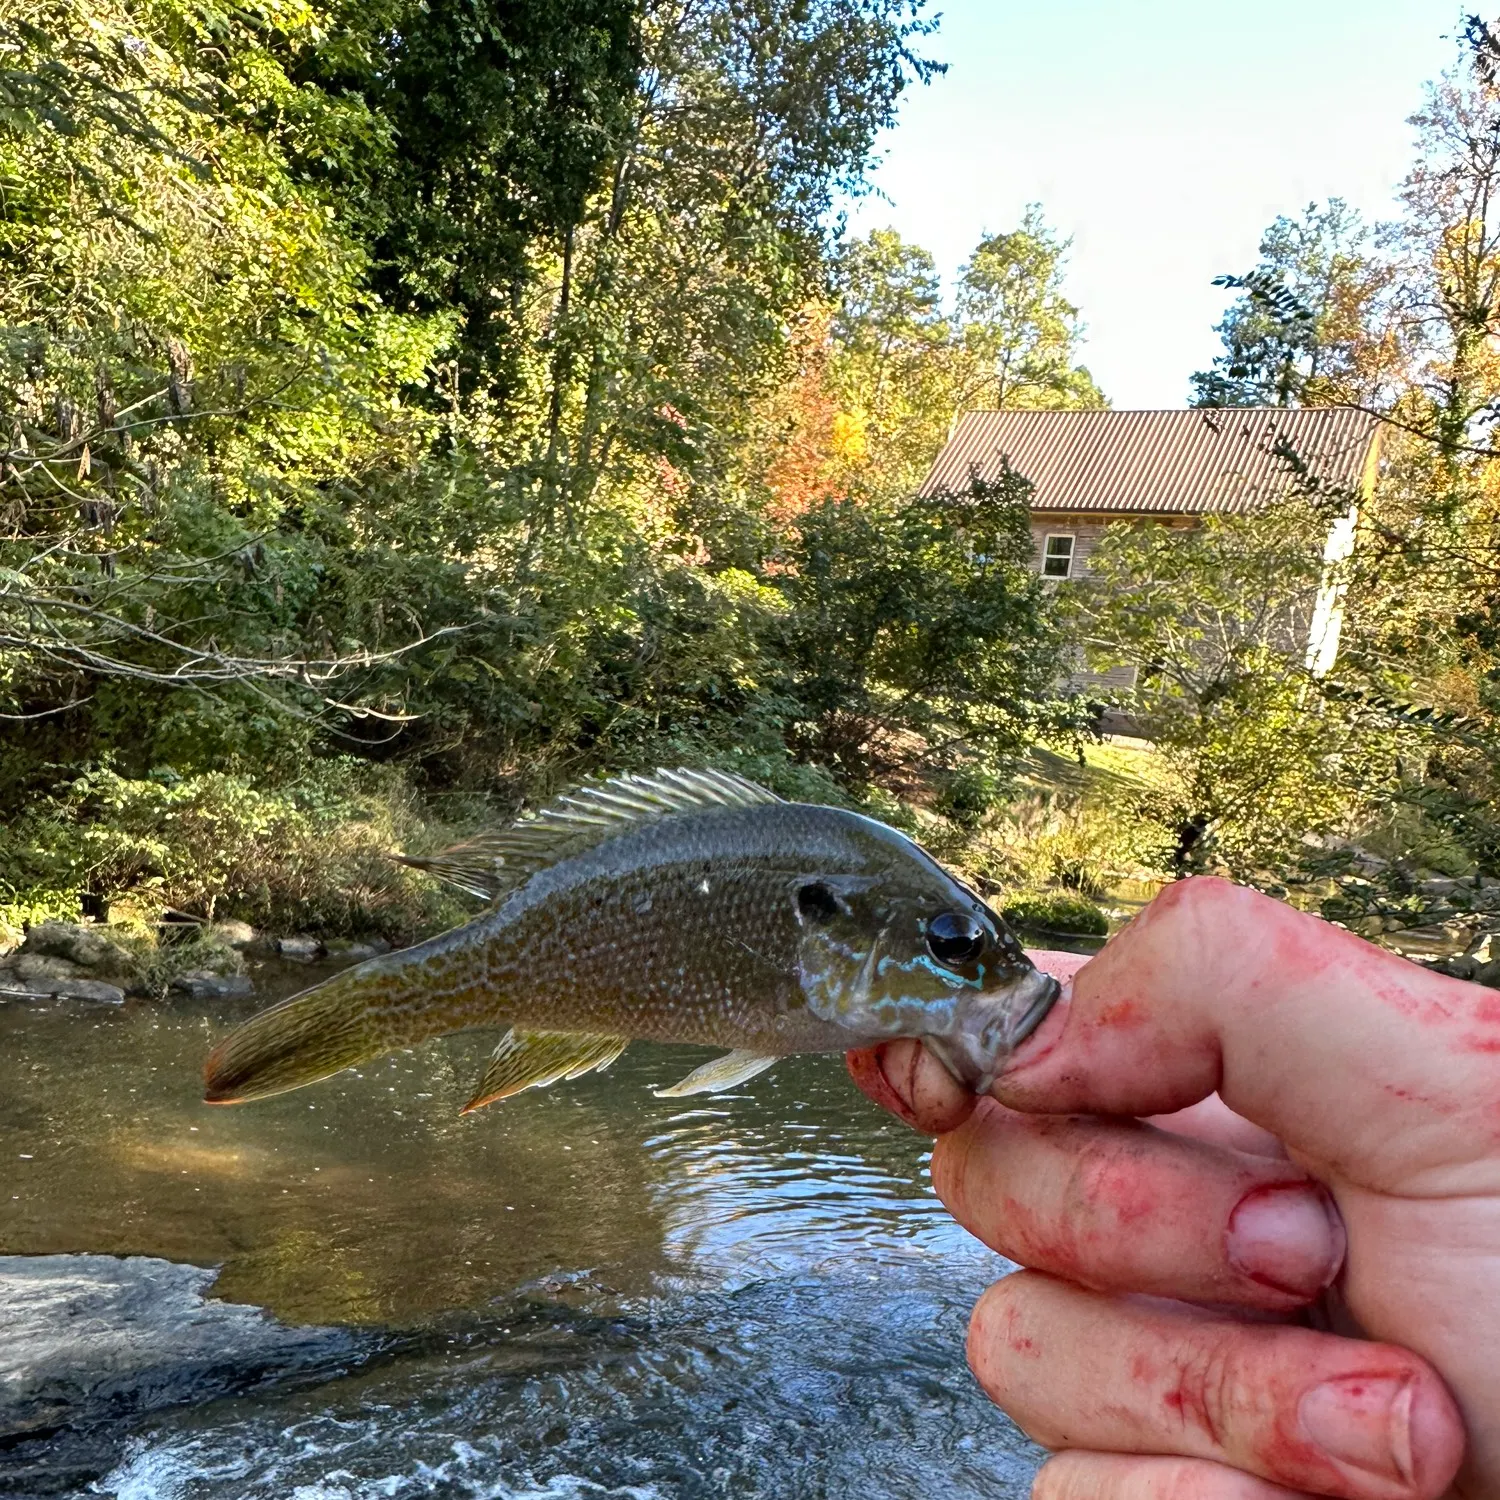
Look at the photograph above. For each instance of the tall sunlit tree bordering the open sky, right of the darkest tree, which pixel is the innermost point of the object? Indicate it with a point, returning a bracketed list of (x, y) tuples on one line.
[(668, 311)]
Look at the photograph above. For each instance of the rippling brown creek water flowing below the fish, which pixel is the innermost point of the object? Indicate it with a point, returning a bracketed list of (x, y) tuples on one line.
[(583, 1292)]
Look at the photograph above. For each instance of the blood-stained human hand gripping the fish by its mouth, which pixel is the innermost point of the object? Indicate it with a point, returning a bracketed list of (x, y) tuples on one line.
[(1229, 1090)]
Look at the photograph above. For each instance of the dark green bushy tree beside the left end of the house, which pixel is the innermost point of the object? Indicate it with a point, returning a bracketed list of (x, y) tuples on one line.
[(922, 623)]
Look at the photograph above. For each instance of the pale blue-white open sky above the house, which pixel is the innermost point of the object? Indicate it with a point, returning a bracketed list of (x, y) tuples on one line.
[(1163, 137)]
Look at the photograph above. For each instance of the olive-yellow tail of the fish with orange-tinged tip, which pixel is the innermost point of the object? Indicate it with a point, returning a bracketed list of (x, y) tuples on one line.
[(346, 1021)]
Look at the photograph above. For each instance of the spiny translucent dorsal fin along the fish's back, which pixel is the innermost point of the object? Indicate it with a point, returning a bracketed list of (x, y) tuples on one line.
[(497, 862)]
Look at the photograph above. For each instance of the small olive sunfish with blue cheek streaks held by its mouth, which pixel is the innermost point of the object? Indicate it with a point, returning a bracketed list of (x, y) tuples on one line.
[(680, 907)]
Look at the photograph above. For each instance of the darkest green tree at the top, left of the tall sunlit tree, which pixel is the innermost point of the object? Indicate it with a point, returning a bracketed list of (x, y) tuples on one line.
[(458, 137)]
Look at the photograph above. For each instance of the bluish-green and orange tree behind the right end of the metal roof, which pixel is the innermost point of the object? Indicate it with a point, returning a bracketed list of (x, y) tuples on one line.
[(1307, 331)]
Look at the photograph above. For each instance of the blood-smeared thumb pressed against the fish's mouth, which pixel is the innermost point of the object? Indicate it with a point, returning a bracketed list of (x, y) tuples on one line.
[(1300, 1027)]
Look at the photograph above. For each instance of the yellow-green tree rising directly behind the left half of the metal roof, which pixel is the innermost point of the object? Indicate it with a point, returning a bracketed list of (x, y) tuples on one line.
[(1018, 332)]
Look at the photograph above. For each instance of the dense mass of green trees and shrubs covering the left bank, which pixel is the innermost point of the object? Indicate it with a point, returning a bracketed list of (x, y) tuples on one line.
[(385, 386)]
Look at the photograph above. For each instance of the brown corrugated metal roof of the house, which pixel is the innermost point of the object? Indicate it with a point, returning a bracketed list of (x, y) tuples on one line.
[(1202, 460)]
